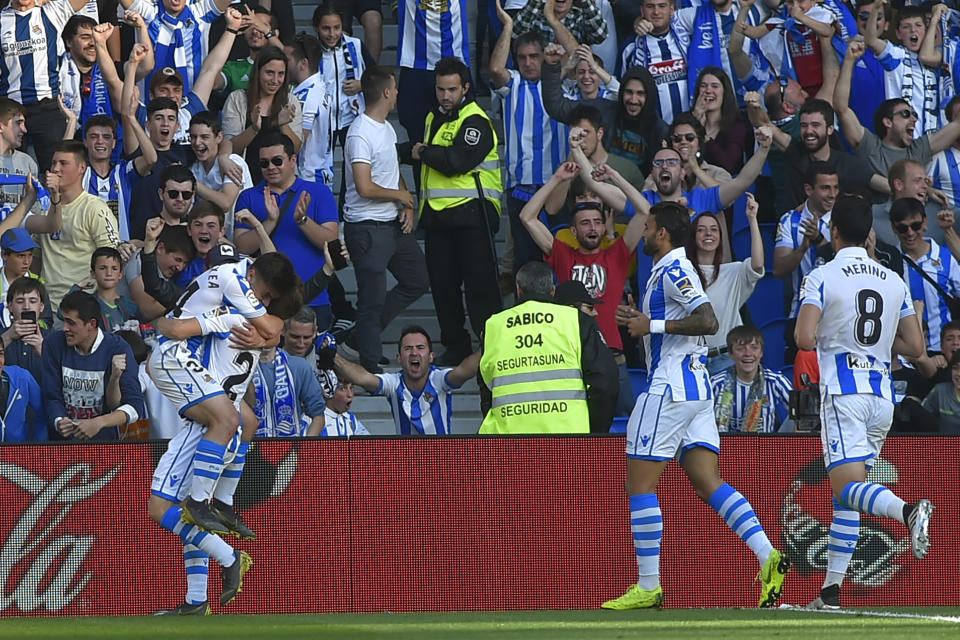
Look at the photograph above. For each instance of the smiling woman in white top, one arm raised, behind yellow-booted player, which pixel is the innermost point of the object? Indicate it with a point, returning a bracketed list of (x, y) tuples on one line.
[(728, 285)]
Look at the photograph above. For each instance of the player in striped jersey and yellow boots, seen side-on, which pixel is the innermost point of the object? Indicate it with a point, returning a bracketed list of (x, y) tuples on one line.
[(675, 415)]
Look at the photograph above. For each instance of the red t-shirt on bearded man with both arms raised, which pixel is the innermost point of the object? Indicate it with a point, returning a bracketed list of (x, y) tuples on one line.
[(604, 274)]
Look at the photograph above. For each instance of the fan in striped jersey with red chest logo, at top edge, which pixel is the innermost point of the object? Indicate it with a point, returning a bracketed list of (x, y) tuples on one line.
[(658, 47)]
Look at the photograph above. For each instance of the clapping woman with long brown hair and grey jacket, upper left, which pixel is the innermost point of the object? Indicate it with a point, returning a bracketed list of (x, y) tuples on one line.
[(267, 103)]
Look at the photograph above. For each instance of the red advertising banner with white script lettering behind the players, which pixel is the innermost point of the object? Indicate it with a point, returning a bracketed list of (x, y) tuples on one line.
[(456, 524)]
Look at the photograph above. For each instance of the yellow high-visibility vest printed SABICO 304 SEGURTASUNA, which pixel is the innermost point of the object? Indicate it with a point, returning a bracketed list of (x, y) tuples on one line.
[(531, 362)]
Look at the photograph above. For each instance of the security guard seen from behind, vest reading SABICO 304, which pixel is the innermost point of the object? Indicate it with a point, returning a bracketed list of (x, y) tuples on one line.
[(545, 367)]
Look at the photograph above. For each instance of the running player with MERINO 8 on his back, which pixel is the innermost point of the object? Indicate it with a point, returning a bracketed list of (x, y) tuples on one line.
[(857, 314)]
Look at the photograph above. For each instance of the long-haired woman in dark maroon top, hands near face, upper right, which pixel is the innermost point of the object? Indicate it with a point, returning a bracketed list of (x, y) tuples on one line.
[(715, 106)]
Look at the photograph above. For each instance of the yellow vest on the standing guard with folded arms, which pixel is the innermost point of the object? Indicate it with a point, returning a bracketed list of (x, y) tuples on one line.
[(443, 192)]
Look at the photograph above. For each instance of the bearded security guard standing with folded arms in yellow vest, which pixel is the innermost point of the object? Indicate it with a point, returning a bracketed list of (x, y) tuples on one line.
[(460, 147)]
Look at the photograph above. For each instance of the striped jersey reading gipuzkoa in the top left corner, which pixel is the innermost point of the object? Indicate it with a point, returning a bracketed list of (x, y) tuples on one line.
[(31, 47)]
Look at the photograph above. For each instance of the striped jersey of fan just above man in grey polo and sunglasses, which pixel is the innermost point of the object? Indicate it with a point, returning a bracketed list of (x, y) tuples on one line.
[(905, 76)]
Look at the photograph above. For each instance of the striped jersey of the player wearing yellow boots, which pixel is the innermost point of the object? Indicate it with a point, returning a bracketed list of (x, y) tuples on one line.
[(675, 363)]
